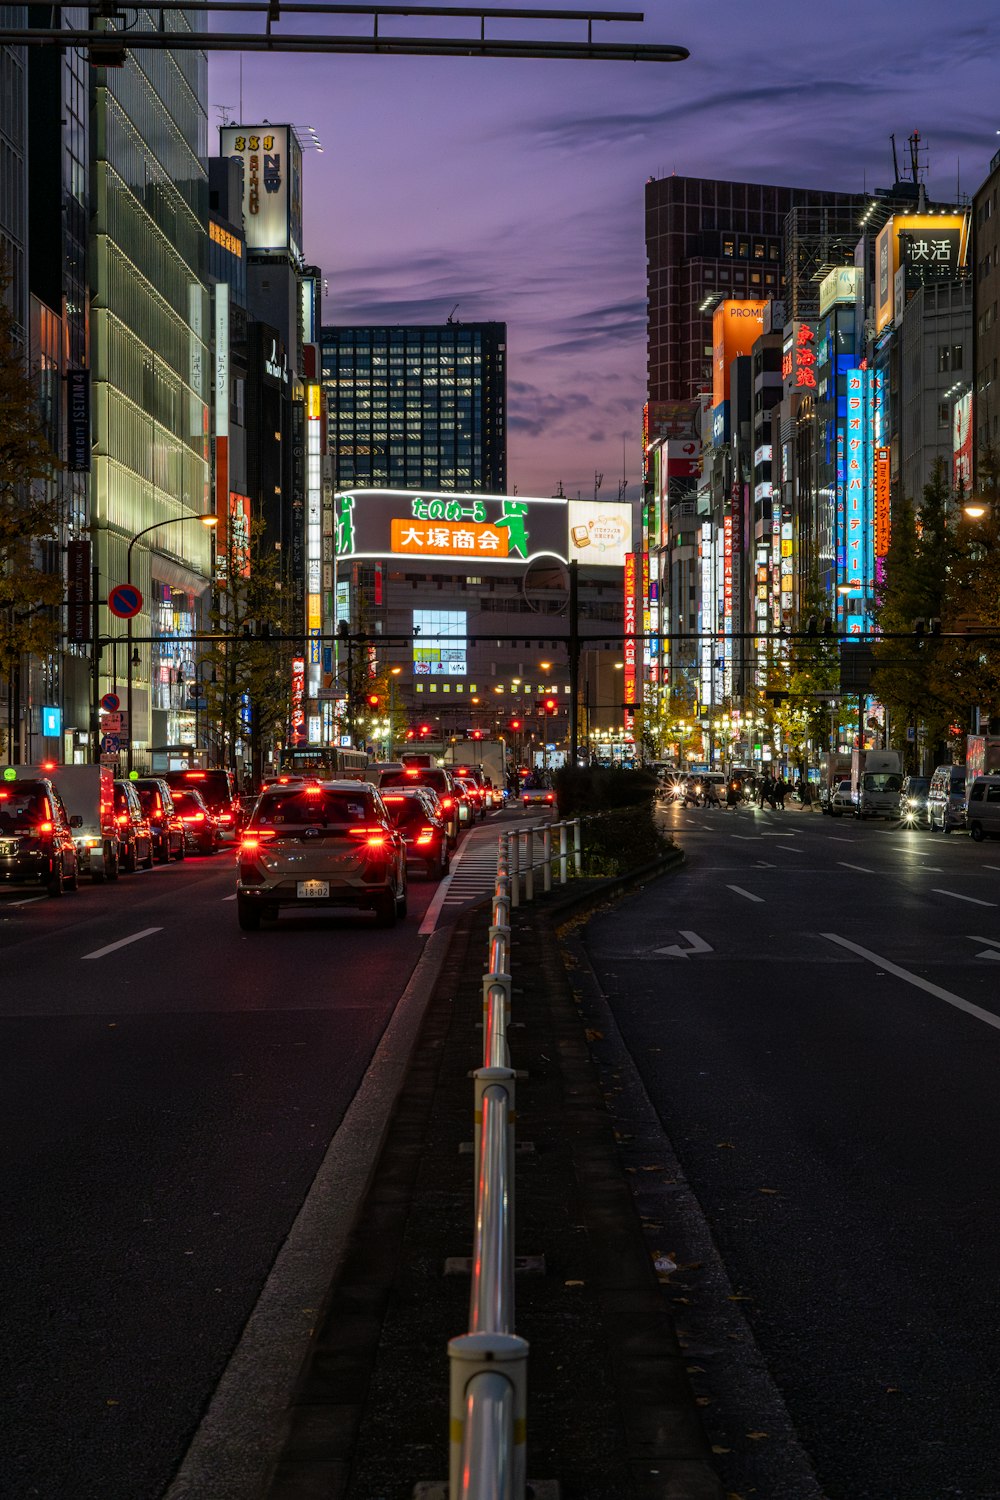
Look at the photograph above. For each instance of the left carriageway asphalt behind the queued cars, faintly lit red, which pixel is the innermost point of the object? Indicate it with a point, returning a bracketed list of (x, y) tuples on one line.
[(169, 1088)]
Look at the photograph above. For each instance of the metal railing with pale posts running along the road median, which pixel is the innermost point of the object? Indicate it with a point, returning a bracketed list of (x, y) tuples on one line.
[(490, 1364)]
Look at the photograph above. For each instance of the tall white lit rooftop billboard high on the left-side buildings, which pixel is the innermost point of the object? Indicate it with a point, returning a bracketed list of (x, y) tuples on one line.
[(272, 185)]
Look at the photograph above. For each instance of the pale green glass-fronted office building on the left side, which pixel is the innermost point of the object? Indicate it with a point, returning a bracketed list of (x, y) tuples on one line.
[(151, 367)]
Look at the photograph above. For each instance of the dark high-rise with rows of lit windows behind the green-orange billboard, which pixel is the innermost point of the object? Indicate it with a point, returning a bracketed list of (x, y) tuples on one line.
[(418, 407)]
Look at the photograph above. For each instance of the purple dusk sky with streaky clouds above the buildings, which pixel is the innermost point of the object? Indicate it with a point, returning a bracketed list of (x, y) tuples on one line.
[(515, 190)]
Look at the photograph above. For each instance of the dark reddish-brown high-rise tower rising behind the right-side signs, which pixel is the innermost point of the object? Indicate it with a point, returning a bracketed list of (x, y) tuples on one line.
[(714, 241)]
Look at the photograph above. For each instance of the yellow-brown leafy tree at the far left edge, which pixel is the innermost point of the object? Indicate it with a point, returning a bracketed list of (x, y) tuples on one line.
[(31, 587)]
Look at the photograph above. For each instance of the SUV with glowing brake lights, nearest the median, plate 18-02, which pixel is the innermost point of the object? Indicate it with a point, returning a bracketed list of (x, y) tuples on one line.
[(314, 845)]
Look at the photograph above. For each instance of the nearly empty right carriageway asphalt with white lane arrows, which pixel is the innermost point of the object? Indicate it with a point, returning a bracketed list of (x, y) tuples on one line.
[(813, 1007)]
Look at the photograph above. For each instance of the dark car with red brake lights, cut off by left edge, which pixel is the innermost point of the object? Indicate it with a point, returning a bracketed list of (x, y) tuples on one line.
[(37, 836)]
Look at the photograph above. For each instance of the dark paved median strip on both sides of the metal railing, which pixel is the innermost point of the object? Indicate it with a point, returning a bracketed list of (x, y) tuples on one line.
[(611, 1414)]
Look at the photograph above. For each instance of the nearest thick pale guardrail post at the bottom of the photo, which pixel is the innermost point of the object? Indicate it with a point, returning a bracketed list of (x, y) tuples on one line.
[(472, 1355)]
